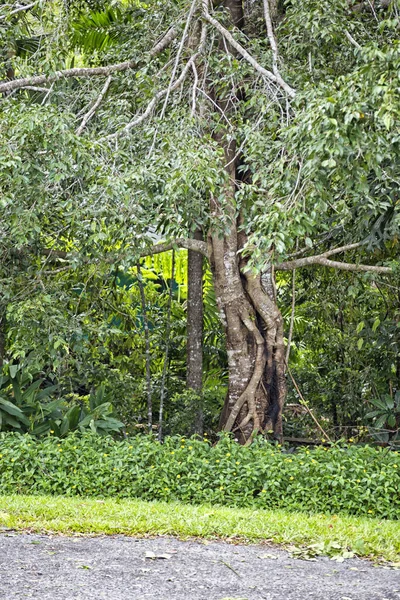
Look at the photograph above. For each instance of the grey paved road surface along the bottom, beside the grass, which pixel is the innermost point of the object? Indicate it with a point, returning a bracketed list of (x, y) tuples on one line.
[(116, 568)]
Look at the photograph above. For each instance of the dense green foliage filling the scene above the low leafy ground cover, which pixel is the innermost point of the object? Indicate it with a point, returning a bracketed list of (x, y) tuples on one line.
[(77, 207)]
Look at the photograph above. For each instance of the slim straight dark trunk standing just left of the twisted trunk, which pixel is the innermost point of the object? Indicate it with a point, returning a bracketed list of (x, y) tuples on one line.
[(194, 360)]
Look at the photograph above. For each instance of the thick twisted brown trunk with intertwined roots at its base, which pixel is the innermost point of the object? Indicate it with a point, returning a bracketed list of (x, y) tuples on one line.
[(248, 310)]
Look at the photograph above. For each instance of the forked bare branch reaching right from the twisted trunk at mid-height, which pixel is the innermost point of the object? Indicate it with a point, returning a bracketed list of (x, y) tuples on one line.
[(323, 260)]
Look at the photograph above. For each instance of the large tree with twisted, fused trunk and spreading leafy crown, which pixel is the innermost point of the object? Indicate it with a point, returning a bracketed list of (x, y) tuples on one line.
[(284, 166)]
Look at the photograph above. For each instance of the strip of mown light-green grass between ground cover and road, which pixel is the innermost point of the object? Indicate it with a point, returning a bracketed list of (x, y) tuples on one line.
[(366, 536)]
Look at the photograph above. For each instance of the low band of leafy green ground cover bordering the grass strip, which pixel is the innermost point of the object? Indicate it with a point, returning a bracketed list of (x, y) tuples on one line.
[(354, 480)]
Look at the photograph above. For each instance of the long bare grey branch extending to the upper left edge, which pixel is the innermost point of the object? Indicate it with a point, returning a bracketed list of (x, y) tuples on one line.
[(15, 84)]
